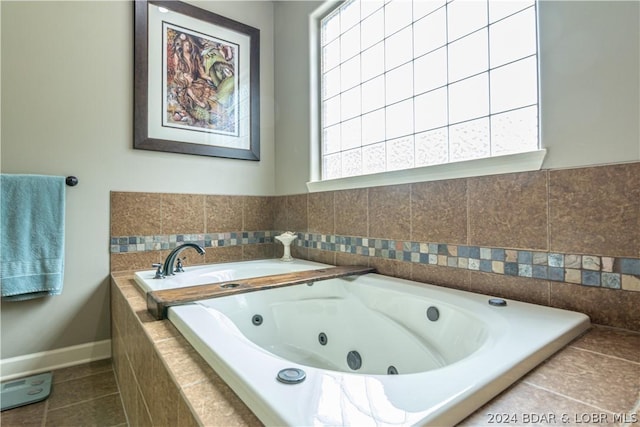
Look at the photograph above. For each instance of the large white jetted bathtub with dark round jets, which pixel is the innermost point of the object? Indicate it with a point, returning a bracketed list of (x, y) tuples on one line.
[(447, 368)]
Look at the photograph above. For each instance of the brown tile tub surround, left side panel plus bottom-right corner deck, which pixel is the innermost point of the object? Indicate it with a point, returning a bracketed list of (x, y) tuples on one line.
[(164, 381)]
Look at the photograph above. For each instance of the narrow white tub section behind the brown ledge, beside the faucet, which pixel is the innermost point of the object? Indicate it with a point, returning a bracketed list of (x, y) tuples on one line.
[(213, 273)]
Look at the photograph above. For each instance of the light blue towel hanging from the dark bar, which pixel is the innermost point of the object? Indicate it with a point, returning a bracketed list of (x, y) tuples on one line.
[(32, 209)]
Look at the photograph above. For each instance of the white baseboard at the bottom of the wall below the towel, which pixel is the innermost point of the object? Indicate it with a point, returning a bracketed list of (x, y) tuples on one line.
[(35, 363)]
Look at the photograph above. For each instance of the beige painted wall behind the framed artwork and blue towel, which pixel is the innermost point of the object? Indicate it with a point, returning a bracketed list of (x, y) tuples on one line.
[(67, 93)]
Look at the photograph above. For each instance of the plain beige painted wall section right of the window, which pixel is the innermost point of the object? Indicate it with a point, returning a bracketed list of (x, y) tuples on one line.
[(589, 76)]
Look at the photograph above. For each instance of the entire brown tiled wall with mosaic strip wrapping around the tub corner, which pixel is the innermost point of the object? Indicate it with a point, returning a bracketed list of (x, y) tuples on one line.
[(564, 238)]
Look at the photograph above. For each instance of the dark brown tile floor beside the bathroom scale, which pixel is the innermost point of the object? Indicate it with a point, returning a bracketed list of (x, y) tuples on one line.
[(84, 395)]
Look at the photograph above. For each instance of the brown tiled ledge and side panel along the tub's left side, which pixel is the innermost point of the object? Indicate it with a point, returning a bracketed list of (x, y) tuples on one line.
[(163, 381)]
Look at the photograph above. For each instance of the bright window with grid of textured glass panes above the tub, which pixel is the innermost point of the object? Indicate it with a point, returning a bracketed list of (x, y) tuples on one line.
[(407, 84)]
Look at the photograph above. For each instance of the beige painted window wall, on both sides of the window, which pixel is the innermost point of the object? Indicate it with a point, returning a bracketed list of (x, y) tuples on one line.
[(589, 95)]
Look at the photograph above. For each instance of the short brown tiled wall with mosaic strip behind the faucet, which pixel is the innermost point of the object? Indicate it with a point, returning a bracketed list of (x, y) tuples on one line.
[(146, 226)]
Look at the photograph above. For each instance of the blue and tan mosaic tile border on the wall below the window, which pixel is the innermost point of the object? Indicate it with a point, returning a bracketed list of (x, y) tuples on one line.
[(587, 270)]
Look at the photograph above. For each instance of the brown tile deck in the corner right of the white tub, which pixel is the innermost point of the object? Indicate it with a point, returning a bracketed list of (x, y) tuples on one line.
[(594, 381)]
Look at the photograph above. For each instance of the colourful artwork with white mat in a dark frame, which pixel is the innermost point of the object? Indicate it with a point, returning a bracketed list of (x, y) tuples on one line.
[(196, 82)]
